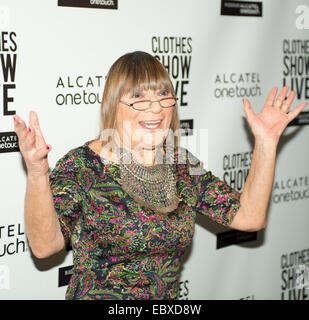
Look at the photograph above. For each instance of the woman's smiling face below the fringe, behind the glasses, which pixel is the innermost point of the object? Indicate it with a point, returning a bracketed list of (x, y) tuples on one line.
[(133, 126)]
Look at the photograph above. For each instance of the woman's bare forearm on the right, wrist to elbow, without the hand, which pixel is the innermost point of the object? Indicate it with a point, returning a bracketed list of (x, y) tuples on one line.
[(258, 186)]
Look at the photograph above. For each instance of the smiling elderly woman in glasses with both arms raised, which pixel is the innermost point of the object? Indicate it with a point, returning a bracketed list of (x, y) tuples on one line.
[(127, 200)]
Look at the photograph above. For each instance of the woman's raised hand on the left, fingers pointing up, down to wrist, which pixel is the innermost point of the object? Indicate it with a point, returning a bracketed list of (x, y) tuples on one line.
[(32, 145)]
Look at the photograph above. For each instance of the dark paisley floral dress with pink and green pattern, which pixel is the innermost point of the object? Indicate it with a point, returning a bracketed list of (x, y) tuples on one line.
[(121, 249)]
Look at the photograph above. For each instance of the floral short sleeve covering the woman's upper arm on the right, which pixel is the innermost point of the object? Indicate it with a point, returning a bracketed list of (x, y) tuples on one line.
[(215, 198)]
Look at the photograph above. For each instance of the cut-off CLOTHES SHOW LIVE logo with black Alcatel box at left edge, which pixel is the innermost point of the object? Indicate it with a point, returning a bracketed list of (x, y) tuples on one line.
[(8, 61)]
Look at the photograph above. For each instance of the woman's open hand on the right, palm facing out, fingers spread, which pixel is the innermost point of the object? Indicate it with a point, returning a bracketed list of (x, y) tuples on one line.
[(269, 124)]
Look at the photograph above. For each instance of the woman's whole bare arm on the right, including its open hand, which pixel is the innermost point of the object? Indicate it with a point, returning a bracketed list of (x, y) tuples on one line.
[(267, 127)]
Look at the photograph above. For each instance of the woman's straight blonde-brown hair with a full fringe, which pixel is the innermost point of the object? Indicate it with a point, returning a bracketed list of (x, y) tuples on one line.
[(134, 71)]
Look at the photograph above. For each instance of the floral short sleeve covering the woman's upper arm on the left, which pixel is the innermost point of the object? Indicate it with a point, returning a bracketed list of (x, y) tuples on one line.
[(67, 193)]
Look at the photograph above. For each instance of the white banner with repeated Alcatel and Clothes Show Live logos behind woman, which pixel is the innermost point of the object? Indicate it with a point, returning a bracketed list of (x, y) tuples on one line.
[(54, 57)]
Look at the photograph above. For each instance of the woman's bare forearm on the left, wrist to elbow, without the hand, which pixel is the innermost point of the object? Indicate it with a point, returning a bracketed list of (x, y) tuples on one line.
[(42, 226)]
